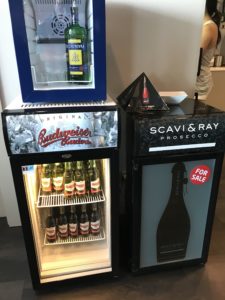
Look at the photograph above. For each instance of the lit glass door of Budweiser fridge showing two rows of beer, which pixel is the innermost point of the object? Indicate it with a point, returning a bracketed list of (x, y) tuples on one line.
[(68, 247)]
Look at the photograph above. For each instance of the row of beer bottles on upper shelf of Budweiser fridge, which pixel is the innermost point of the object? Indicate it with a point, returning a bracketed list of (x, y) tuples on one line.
[(71, 178)]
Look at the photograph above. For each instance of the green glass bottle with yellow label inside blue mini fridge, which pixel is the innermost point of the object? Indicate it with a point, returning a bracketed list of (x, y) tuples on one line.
[(76, 48)]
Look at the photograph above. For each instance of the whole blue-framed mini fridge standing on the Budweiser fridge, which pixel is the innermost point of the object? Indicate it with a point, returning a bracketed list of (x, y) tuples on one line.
[(60, 49)]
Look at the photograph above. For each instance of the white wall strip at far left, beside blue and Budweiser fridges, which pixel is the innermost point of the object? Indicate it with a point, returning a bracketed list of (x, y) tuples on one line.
[(9, 89)]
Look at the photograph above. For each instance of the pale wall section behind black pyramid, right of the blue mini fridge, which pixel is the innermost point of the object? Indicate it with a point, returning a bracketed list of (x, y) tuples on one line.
[(159, 37)]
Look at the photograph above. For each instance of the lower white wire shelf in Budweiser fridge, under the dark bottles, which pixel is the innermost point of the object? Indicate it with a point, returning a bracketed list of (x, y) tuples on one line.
[(79, 239)]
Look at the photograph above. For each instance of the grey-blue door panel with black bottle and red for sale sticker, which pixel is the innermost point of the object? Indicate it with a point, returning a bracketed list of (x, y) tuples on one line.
[(174, 211)]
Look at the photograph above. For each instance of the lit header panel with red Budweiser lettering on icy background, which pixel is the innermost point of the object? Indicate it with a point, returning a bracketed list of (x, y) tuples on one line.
[(62, 132)]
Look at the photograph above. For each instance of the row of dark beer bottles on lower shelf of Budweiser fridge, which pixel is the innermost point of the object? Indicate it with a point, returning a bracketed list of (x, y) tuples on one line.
[(72, 223)]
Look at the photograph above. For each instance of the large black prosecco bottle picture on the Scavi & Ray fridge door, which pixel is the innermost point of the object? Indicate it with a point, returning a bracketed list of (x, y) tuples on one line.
[(174, 226)]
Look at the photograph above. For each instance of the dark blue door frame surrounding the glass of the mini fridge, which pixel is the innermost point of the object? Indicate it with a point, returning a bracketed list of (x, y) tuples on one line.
[(79, 94)]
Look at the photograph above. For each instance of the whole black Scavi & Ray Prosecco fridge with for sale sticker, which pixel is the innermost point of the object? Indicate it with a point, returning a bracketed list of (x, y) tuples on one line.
[(173, 173)]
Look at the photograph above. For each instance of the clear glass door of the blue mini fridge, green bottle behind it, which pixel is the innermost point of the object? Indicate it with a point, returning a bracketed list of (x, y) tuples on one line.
[(60, 43)]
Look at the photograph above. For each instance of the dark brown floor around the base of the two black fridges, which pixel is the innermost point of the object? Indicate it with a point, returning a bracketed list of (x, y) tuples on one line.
[(192, 283)]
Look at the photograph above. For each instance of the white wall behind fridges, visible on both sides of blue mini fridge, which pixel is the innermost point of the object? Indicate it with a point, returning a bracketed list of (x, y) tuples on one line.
[(159, 37)]
